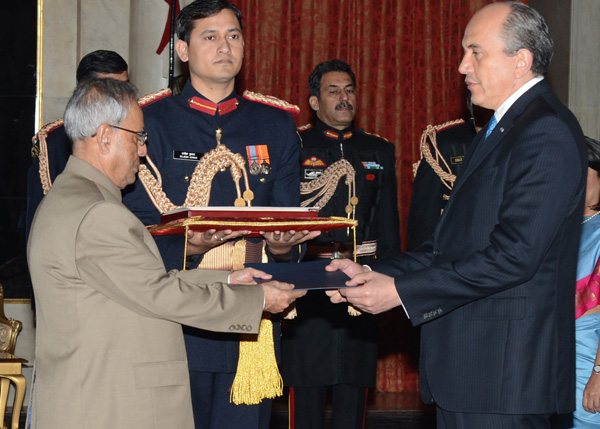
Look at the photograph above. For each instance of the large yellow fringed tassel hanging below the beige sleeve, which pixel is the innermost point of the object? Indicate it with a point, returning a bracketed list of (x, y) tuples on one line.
[(257, 374)]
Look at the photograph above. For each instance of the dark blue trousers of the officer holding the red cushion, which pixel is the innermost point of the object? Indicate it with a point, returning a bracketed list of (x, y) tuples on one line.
[(212, 409)]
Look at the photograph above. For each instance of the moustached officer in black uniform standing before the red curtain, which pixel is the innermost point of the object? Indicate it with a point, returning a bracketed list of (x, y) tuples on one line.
[(325, 347)]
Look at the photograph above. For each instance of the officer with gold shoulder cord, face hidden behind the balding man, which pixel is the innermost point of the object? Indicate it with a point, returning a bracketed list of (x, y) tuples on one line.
[(443, 148)]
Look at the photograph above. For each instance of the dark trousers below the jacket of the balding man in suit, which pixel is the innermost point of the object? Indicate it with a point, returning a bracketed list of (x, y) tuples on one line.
[(452, 420)]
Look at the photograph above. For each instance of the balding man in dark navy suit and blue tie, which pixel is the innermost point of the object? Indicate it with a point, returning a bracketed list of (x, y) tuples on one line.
[(493, 290)]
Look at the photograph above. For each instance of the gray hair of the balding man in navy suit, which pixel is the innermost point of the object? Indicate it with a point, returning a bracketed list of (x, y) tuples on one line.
[(524, 28)]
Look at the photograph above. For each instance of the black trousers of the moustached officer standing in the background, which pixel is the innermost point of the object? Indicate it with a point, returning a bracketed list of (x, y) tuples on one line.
[(307, 404)]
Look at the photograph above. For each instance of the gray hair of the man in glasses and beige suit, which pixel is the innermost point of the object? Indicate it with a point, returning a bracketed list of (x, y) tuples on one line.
[(97, 102)]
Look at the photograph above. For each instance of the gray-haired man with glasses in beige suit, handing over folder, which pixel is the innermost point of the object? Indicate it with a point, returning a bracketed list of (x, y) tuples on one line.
[(109, 346)]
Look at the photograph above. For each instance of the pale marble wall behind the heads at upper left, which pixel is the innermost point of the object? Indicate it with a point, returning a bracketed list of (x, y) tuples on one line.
[(73, 28)]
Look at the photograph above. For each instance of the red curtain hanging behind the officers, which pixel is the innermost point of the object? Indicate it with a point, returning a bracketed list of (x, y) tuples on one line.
[(405, 54)]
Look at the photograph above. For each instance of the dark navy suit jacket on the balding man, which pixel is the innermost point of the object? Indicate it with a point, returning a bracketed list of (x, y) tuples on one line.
[(494, 289)]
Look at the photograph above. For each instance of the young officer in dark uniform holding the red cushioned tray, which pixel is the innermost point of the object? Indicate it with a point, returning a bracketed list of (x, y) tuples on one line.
[(181, 130)]
